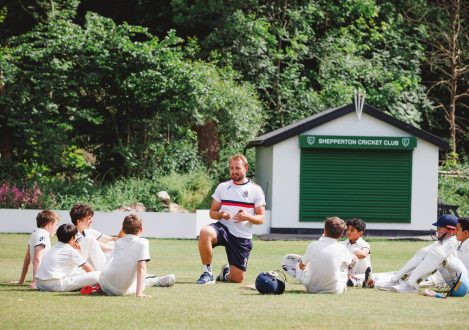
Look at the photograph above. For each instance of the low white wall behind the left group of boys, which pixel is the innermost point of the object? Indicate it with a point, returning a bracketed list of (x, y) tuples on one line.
[(155, 224)]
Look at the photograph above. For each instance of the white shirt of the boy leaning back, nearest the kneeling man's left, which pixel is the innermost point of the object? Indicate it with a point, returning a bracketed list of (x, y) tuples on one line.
[(120, 271)]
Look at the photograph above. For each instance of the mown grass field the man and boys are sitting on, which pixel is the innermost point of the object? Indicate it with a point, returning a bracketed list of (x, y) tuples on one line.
[(187, 305)]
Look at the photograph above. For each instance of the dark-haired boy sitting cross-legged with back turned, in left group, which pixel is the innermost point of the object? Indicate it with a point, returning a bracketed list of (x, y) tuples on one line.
[(58, 268)]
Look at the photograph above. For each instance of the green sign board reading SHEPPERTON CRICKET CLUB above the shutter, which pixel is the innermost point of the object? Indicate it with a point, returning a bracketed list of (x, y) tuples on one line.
[(358, 142)]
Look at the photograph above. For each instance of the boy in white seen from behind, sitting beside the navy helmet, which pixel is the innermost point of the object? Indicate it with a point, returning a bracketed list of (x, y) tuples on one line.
[(323, 268)]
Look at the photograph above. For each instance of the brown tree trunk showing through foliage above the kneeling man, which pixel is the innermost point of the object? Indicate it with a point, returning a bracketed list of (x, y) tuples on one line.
[(208, 143)]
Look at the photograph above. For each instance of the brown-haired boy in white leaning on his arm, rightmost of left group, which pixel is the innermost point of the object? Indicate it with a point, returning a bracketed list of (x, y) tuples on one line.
[(126, 269)]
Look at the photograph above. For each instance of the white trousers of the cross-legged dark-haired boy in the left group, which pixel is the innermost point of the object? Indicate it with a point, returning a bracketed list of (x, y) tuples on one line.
[(69, 283)]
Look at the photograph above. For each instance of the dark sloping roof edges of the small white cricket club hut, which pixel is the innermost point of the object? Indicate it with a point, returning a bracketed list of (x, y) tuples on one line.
[(326, 116)]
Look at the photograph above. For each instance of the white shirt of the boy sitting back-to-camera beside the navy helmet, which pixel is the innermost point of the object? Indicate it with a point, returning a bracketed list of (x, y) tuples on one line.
[(326, 263)]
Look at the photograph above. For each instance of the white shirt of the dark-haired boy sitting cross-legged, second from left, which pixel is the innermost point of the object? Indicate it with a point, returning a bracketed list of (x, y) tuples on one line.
[(61, 261)]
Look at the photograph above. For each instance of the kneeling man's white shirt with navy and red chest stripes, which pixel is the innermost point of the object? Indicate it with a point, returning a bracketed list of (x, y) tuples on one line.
[(234, 197)]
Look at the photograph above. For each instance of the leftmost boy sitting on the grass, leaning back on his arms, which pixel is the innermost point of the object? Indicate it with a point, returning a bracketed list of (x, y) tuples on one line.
[(39, 244)]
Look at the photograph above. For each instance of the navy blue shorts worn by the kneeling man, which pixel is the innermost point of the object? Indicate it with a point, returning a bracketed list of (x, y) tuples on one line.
[(237, 249)]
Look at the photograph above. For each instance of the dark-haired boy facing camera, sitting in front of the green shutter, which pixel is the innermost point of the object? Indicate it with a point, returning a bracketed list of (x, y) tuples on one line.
[(361, 249)]
